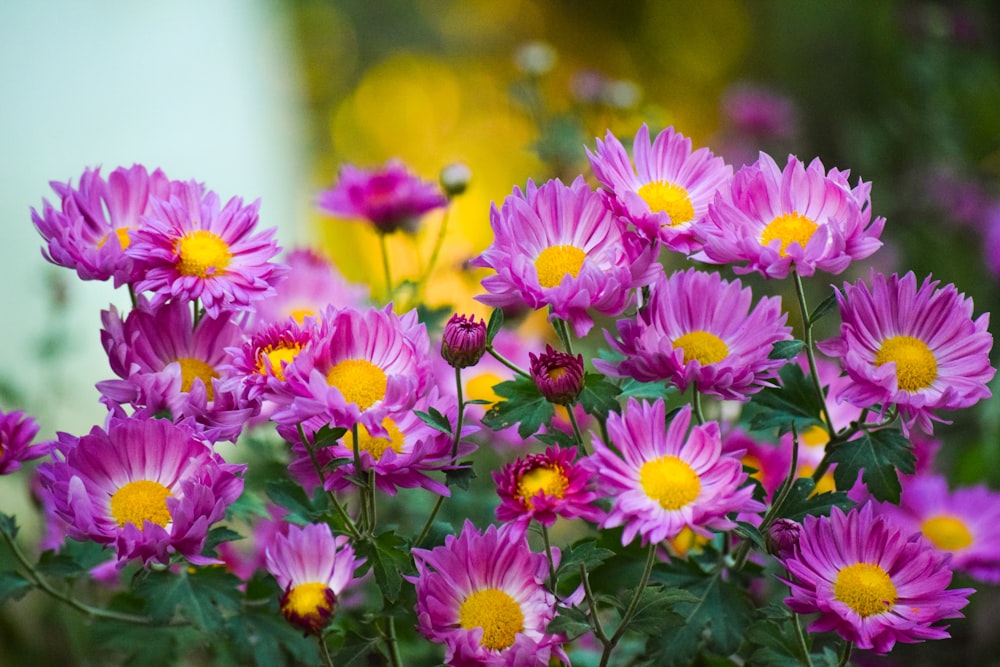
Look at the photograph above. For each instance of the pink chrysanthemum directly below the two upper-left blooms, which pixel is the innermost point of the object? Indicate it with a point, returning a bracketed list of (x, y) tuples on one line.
[(165, 363)]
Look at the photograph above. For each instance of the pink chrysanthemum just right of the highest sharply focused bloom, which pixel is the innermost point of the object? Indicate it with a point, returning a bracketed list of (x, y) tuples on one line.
[(771, 219)]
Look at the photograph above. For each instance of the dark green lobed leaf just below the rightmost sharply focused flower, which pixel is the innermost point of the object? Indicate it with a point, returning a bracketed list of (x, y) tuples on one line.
[(879, 454)]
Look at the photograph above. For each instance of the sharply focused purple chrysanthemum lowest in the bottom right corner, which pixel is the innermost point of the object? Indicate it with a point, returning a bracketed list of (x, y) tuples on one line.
[(872, 583)]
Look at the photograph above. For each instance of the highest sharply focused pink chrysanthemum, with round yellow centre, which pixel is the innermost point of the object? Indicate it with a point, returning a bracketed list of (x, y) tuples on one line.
[(667, 191)]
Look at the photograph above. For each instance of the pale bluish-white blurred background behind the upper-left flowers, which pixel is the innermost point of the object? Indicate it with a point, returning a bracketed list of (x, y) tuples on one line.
[(202, 89)]
